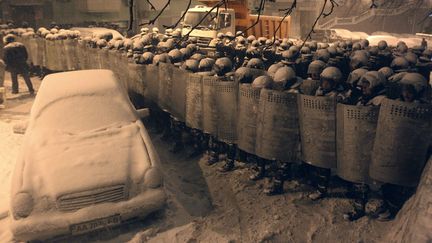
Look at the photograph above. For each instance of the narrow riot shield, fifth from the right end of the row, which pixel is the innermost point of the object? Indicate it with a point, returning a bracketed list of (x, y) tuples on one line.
[(247, 117)]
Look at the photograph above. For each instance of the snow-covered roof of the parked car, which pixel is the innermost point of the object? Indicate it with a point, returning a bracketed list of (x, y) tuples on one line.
[(85, 83)]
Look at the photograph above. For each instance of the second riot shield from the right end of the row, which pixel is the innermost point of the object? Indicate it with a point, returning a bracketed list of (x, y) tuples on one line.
[(356, 127)]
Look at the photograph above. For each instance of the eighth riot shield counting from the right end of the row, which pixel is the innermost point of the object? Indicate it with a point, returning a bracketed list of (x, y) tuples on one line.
[(194, 102)]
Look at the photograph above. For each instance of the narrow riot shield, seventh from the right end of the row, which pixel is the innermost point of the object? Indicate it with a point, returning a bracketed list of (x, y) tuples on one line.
[(210, 116)]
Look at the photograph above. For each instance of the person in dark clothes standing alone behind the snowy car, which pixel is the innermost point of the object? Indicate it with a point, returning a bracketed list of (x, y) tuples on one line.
[(15, 58)]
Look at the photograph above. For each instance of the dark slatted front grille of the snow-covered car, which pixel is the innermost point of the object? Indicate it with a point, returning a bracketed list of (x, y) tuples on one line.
[(76, 201)]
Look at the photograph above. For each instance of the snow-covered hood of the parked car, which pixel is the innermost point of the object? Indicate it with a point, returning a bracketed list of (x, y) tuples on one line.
[(59, 164)]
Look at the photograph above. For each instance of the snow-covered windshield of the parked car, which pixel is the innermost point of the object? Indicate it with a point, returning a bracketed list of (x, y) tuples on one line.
[(83, 113)]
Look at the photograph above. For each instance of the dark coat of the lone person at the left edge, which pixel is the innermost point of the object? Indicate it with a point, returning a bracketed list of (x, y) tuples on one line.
[(15, 57)]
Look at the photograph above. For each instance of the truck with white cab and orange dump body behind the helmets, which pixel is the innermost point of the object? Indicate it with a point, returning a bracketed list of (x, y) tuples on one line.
[(234, 18)]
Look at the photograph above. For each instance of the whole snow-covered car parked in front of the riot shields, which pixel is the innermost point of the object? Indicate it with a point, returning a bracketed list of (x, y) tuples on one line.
[(87, 161)]
